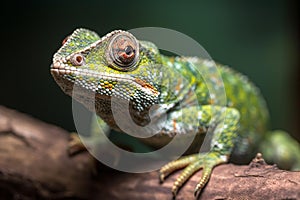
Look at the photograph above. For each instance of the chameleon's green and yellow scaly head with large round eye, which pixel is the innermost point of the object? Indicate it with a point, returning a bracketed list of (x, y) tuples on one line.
[(115, 65)]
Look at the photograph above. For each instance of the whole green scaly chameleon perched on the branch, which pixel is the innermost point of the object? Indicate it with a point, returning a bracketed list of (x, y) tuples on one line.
[(121, 66)]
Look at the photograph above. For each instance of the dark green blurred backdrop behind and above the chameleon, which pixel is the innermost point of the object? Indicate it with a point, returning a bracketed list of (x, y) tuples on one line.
[(257, 38)]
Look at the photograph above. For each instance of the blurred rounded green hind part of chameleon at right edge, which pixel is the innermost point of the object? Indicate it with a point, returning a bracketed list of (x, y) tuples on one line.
[(280, 148)]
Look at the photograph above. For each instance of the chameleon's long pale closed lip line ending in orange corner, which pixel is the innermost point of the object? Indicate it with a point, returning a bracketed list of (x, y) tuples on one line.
[(58, 69)]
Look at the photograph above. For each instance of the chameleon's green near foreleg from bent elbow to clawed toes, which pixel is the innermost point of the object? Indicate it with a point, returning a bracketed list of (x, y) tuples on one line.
[(225, 122)]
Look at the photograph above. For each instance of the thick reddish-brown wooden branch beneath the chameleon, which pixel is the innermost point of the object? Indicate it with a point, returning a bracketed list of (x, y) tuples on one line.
[(34, 165)]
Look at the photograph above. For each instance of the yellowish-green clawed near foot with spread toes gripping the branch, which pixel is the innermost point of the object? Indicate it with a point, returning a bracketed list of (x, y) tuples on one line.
[(192, 164)]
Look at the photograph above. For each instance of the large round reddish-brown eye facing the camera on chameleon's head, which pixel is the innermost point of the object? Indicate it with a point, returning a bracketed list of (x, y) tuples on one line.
[(123, 51)]
